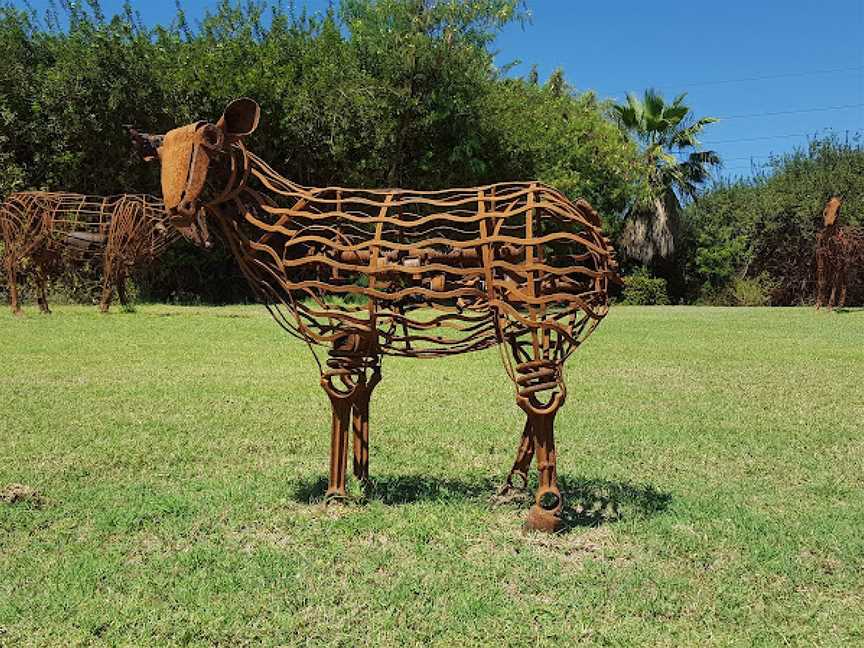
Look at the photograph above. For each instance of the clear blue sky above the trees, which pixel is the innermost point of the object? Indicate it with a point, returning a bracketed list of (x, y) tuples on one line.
[(775, 71)]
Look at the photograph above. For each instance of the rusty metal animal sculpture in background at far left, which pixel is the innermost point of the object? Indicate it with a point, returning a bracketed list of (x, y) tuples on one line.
[(46, 232)]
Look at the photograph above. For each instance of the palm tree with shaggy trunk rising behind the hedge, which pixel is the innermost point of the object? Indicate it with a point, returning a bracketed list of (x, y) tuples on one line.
[(665, 132)]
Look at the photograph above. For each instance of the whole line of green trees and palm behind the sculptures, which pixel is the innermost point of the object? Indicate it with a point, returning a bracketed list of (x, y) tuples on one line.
[(374, 93)]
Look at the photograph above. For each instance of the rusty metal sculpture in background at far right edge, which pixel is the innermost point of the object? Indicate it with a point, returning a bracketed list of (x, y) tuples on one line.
[(838, 249)]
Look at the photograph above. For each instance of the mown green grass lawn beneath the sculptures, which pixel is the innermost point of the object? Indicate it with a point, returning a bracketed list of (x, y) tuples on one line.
[(179, 453)]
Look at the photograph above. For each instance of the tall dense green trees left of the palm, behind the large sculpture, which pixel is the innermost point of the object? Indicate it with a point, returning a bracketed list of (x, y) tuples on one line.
[(374, 93)]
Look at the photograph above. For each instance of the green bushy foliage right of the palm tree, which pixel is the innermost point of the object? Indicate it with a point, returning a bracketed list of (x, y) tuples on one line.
[(767, 227)]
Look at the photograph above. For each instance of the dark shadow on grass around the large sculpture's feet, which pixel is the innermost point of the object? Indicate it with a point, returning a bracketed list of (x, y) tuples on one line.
[(587, 502)]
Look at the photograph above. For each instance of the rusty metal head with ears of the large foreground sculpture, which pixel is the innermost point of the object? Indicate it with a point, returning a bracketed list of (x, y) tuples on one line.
[(185, 155)]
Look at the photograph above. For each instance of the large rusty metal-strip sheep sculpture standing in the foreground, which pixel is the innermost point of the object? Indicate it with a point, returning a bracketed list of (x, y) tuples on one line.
[(424, 274)]
